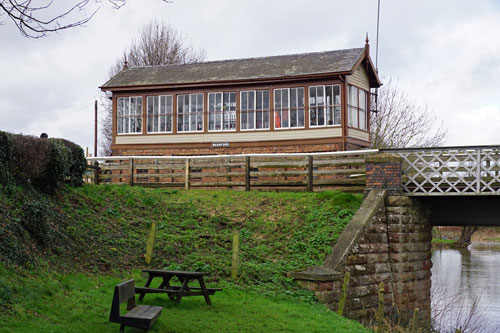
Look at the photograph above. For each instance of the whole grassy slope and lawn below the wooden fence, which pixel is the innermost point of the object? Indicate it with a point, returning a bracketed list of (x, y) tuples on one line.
[(72, 248)]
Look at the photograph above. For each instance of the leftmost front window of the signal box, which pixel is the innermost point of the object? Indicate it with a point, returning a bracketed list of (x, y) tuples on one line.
[(129, 115)]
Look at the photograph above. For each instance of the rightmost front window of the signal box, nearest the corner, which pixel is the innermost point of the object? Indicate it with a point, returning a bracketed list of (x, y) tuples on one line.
[(324, 105)]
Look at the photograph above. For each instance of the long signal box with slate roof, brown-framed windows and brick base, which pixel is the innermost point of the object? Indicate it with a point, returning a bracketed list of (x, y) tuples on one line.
[(312, 102)]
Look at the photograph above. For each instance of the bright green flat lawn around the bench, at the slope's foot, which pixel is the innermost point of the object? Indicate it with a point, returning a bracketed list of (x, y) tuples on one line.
[(46, 302)]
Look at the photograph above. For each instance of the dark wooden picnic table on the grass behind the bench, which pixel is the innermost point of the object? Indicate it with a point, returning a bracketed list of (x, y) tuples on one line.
[(175, 293)]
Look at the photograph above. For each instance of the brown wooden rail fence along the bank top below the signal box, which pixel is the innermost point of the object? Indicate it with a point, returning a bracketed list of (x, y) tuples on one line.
[(315, 171)]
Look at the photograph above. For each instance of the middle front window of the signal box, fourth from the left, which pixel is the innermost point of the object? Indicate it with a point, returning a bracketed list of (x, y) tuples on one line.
[(222, 111)]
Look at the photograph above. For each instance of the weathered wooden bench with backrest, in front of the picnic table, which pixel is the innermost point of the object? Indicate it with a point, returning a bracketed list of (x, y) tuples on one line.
[(139, 316)]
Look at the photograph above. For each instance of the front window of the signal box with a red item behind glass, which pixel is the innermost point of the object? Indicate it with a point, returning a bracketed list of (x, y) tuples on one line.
[(289, 108)]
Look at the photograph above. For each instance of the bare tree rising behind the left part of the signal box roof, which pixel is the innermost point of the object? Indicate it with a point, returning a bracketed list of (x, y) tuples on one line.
[(158, 43)]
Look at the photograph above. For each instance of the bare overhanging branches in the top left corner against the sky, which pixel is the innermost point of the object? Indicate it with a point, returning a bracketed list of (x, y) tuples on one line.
[(35, 19)]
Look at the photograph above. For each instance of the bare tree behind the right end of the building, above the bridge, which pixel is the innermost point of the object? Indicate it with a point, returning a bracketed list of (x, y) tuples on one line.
[(402, 123)]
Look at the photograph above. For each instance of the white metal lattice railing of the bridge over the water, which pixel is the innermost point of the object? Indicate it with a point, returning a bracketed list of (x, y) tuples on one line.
[(451, 170)]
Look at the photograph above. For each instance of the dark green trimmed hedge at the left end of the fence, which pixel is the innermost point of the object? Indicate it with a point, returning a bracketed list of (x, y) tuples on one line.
[(44, 163)]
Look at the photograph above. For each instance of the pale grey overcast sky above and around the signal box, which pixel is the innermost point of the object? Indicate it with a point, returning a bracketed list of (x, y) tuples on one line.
[(444, 54)]
